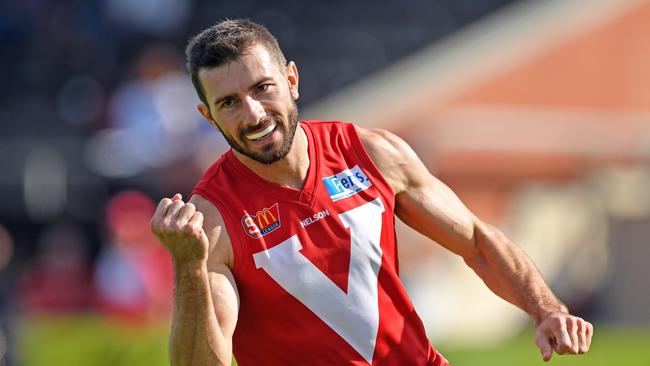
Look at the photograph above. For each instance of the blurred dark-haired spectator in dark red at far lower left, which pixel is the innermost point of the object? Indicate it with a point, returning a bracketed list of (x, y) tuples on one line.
[(59, 280)]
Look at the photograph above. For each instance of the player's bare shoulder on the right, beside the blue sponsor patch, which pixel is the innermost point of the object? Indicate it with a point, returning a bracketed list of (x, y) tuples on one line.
[(395, 159)]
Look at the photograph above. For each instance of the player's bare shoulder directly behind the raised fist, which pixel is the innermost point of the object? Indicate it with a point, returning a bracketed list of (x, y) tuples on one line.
[(220, 250)]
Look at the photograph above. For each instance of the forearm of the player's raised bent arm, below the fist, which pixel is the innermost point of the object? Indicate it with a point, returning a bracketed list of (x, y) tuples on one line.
[(196, 337)]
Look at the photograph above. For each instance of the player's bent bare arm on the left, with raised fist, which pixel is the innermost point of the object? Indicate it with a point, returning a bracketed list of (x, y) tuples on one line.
[(206, 301)]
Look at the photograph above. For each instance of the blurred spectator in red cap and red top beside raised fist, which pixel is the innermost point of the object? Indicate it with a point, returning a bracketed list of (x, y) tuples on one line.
[(134, 273)]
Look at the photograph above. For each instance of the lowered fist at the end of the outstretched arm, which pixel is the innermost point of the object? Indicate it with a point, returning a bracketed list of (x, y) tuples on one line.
[(564, 334)]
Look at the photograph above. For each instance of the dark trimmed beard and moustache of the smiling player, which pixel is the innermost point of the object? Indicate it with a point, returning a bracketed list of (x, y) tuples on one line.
[(269, 153)]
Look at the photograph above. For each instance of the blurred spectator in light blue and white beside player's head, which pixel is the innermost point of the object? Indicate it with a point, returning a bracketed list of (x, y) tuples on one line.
[(152, 118)]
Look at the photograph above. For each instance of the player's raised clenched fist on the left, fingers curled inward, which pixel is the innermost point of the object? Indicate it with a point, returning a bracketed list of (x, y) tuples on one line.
[(179, 227)]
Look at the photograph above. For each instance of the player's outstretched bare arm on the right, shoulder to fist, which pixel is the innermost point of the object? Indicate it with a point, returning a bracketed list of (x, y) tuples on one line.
[(430, 207)]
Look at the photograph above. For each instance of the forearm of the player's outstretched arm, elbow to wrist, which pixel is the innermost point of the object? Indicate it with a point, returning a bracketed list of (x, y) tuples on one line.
[(509, 273)]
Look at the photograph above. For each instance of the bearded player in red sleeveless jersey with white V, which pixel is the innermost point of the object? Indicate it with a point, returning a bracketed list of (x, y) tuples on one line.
[(286, 252)]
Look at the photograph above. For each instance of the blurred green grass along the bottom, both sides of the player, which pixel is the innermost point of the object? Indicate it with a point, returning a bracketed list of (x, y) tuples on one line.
[(92, 341)]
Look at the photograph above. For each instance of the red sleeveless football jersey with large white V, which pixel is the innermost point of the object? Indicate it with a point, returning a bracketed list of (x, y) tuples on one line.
[(317, 268)]
